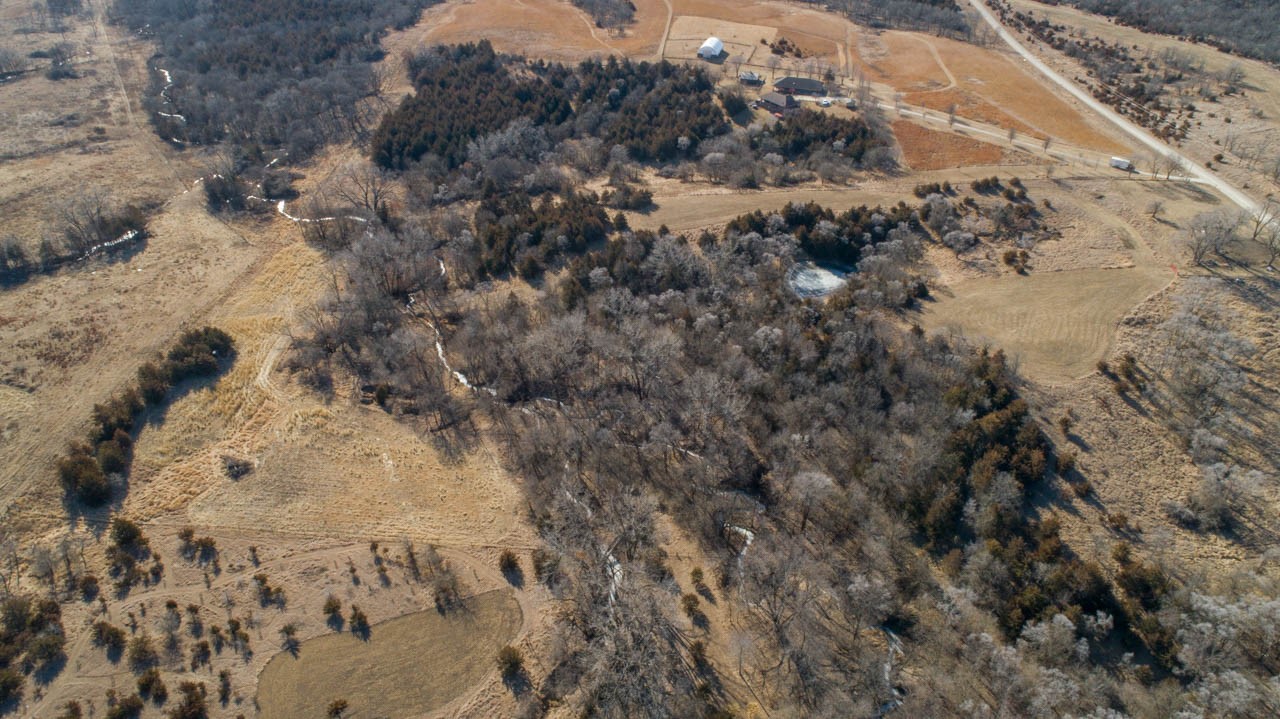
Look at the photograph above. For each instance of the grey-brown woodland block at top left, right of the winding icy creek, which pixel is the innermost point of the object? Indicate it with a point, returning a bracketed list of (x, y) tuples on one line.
[(273, 74)]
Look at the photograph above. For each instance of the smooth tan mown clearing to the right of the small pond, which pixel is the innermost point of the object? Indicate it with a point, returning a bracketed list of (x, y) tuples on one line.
[(1058, 326)]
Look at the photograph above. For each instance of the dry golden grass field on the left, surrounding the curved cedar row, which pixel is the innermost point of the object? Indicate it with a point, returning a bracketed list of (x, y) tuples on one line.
[(330, 478)]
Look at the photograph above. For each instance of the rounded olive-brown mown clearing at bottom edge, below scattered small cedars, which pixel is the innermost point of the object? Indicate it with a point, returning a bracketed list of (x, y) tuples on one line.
[(410, 666)]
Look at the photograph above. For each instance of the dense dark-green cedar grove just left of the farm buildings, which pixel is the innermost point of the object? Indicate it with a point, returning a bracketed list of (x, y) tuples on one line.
[(655, 111)]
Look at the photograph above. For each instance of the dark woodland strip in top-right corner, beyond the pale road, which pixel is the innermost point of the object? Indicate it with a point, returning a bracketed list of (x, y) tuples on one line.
[(1245, 29)]
